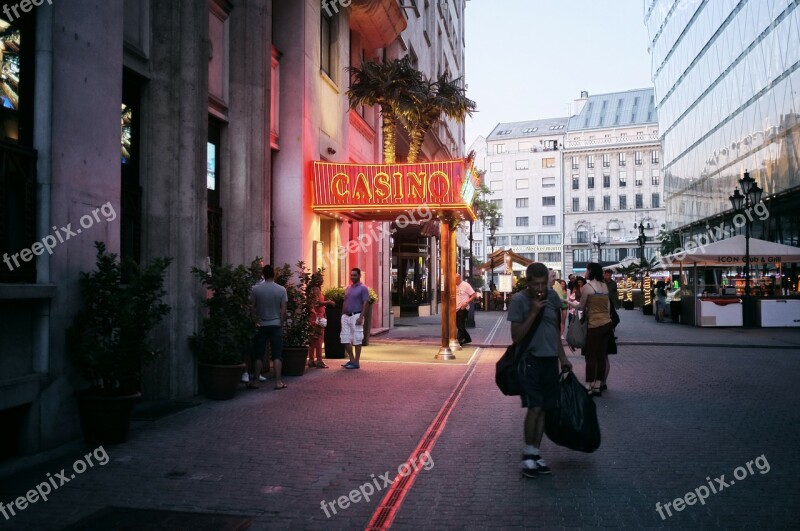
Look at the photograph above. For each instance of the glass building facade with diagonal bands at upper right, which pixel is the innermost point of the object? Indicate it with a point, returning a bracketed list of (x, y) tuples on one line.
[(728, 98)]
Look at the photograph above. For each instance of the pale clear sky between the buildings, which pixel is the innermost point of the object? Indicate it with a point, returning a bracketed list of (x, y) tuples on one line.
[(529, 59)]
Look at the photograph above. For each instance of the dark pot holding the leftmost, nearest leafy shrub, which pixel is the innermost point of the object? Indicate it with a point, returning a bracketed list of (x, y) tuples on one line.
[(105, 419)]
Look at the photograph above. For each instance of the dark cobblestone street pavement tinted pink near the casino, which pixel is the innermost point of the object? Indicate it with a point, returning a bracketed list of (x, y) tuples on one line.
[(676, 417)]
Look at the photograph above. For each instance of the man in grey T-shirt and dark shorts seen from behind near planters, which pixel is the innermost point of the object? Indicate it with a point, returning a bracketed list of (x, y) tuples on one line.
[(269, 301)]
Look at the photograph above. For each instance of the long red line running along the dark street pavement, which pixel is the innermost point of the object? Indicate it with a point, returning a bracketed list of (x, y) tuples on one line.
[(384, 515)]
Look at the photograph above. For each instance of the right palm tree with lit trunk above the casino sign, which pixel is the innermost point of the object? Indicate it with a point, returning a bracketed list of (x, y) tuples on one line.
[(444, 96)]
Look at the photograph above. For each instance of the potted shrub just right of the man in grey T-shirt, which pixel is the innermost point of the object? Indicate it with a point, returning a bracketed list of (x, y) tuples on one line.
[(299, 308)]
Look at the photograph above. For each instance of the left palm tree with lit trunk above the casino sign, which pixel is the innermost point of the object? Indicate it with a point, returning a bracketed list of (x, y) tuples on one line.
[(392, 85)]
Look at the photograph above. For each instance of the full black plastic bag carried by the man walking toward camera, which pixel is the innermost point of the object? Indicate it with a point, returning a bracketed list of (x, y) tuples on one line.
[(573, 423)]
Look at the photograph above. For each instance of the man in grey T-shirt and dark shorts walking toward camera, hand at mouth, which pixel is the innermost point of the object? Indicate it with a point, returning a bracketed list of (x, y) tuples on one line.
[(540, 359)]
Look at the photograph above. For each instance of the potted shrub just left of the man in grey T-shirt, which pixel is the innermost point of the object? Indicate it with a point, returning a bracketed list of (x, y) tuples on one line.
[(226, 332)]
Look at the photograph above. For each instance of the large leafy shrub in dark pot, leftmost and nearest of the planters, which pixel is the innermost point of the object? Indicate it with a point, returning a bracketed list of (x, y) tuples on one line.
[(109, 340)]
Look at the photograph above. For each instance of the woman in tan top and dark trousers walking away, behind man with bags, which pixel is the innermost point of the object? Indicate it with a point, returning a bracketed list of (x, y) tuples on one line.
[(595, 302)]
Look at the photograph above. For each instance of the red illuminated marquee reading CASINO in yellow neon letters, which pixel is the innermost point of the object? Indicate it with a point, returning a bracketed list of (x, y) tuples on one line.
[(376, 191)]
